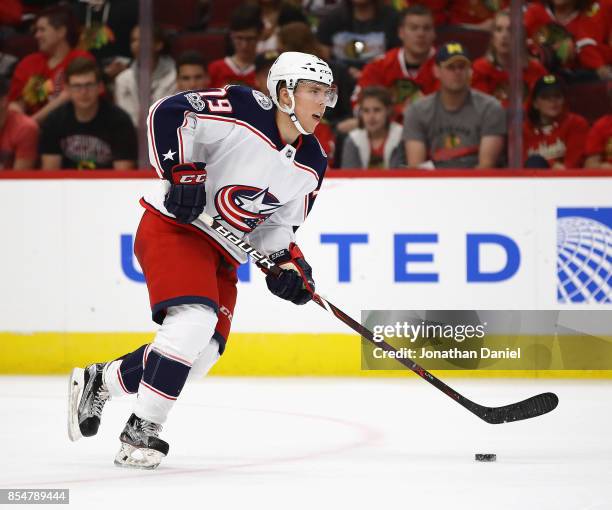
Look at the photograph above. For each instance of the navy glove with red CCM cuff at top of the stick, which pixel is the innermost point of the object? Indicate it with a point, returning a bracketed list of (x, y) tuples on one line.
[(187, 196)]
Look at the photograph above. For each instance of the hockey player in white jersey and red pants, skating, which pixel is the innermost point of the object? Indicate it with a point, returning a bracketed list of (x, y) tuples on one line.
[(251, 162)]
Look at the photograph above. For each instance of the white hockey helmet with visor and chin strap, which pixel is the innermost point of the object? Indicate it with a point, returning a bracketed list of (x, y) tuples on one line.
[(291, 67)]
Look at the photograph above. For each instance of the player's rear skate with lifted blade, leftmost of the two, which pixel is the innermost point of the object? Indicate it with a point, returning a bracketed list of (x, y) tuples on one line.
[(87, 395)]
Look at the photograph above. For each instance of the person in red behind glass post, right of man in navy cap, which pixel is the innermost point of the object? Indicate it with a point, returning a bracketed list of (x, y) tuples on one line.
[(490, 73)]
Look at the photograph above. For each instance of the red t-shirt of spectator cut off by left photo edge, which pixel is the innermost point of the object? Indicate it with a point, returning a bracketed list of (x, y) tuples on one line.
[(18, 139)]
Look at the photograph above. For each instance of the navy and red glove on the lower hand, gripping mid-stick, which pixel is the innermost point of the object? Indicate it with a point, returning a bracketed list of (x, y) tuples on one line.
[(295, 283)]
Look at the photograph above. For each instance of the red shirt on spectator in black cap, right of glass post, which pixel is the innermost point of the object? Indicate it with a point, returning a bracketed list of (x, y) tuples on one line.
[(561, 142)]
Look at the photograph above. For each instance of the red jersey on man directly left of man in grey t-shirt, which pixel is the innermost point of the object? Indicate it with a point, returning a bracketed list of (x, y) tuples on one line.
[(405, 83)]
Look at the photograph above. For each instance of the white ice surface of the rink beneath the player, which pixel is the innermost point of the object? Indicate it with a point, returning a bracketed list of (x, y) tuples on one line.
[(242, 443)]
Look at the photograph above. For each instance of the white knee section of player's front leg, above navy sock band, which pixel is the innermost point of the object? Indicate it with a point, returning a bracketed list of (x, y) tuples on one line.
[(186, 332)]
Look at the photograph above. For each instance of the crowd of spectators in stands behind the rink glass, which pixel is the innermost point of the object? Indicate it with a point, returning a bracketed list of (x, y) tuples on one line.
[(422, 83)]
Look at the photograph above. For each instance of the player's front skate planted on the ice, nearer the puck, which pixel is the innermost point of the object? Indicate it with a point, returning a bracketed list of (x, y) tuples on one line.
[(141, 447)]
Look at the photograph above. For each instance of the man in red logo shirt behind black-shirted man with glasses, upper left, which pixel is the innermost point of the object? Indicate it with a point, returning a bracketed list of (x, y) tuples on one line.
[(38, 83)]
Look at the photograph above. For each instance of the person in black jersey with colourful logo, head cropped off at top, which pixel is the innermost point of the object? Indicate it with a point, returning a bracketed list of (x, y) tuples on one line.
[(106, 31)]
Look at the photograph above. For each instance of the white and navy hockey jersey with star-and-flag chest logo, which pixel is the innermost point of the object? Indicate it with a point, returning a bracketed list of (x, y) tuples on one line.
[(258, 186)]
